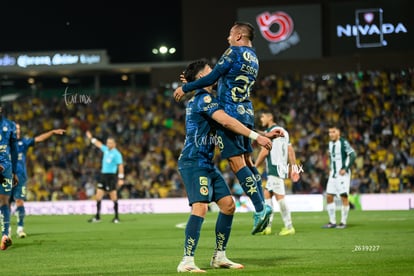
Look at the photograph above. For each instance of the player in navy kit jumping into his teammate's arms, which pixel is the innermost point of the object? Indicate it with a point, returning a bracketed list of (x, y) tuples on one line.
[(236, 72)]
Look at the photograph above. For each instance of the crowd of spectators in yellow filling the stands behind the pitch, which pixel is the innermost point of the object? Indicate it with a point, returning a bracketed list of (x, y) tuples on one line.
[(375, 110)]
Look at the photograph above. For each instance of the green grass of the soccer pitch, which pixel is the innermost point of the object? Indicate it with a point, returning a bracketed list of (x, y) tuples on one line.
[(152, 244)]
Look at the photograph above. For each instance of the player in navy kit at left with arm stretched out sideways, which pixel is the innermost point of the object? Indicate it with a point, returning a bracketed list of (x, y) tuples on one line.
[(19, 191)]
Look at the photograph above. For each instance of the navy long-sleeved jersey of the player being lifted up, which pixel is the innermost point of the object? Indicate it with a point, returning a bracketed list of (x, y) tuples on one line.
[(236, 73)]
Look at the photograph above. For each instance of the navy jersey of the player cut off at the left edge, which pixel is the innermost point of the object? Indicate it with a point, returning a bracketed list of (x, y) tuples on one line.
[(8, 145)]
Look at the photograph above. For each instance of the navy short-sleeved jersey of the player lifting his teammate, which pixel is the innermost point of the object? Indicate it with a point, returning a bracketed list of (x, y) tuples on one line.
[(200, 138)]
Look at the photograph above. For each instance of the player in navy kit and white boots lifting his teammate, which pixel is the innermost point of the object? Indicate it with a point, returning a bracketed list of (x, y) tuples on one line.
[(203, 181)]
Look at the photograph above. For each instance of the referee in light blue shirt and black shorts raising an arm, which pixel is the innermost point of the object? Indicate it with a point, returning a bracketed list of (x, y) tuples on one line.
[(112, 175)]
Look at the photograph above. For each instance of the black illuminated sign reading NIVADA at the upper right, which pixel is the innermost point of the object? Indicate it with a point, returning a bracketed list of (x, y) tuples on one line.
[(370, 27)]
